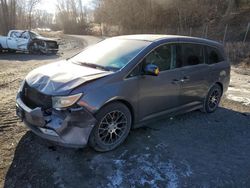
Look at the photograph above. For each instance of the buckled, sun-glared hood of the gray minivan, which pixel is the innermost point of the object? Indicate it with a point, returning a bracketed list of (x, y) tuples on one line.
[(61, 77)]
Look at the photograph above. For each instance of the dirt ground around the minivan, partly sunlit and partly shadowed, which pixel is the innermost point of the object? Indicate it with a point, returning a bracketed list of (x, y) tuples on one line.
[(195, 149)]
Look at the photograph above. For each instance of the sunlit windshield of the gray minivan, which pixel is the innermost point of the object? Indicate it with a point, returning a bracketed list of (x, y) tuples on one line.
[(112, 54)]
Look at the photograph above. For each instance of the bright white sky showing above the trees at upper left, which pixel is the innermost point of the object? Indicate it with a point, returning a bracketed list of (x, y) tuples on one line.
[(50, 5)]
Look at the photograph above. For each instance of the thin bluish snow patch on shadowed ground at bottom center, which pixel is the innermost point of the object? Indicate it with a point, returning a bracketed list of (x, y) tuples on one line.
[(152, 171)]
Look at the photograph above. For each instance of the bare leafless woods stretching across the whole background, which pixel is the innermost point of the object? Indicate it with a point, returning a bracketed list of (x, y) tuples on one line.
[(227, 21)]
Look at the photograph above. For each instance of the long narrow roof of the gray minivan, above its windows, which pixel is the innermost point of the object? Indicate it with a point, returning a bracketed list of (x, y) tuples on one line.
[(155, 38)]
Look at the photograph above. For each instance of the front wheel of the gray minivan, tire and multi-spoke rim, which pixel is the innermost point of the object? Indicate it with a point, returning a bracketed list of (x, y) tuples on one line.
[(113, 125)]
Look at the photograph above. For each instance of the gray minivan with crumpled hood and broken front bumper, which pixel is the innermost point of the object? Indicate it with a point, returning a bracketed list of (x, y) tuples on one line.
[(97, 96)]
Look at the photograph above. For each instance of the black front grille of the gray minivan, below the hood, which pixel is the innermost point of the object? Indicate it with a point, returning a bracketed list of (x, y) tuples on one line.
[(33, 98)]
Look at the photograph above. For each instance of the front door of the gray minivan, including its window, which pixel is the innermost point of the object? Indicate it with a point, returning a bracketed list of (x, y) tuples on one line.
[(158, 94)]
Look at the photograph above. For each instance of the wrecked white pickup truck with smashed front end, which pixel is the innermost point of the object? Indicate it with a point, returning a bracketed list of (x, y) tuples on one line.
[(28, 41)]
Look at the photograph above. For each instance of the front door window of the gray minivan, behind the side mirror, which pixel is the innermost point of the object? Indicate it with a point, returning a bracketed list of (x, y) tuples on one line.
[(161, 57)]
